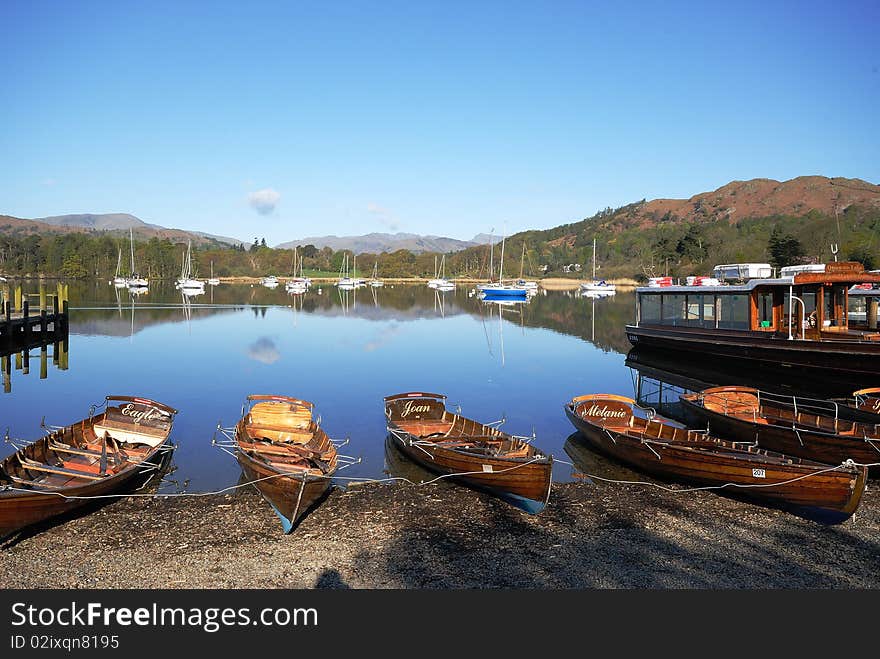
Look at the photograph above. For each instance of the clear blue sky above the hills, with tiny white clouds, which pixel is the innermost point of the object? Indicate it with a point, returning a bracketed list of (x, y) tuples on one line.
[(290, 119)]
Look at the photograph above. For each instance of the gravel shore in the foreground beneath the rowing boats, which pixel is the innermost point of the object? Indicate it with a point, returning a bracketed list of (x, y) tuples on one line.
[(447, 536)]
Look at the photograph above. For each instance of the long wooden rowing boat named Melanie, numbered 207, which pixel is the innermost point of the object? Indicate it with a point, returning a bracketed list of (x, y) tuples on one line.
[(617, 427)]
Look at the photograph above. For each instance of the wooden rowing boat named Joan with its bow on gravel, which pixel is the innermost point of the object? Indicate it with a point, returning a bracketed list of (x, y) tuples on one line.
[(471, 452)]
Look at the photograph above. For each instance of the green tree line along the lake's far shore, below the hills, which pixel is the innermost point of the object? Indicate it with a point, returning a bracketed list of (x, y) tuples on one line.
[(667, 246)]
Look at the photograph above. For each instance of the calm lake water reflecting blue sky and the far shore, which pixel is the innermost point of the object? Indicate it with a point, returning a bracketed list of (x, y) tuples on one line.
[(341, 350)]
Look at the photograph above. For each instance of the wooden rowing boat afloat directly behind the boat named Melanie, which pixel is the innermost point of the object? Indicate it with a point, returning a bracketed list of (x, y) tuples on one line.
[(749, 415)]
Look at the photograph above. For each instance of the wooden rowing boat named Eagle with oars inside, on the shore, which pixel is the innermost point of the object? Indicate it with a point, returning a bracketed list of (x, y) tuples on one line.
[(75, 465)]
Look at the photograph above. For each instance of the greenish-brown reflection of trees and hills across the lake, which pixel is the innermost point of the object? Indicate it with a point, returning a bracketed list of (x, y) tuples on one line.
[(103, 310)]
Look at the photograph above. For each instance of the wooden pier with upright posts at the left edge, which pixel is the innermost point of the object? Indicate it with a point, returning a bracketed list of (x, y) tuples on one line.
[(24, 326)]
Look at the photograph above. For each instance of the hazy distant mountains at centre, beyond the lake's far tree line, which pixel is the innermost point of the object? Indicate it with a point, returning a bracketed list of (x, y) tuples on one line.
[(376, 243)]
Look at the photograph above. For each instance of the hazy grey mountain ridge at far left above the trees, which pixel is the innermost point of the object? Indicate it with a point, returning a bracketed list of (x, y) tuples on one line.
[(114, 223)]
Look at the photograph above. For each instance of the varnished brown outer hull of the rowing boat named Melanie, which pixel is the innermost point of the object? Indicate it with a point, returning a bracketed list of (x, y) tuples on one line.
[(815, 490)]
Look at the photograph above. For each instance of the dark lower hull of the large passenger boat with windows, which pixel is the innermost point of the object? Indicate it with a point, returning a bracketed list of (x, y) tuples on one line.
[(860, 359)]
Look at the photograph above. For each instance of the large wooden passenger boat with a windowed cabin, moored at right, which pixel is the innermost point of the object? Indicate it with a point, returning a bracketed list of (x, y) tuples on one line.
[(800, 320)]
